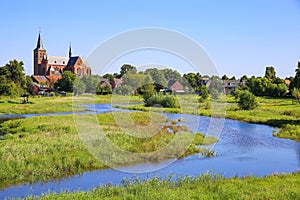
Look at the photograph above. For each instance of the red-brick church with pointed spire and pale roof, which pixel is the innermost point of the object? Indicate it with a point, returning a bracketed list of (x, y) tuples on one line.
[(48, 69)]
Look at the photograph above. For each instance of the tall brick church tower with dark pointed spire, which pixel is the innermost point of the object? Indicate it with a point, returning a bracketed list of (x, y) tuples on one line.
[(38, 55)]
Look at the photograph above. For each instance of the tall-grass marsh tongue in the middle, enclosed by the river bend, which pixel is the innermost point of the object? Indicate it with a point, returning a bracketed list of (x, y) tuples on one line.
[(46, 148)]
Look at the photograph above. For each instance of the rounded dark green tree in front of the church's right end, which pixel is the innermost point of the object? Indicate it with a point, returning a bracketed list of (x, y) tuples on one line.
[(66, 82)]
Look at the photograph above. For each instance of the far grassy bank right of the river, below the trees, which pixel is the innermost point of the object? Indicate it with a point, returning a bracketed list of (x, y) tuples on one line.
[(278, 112)]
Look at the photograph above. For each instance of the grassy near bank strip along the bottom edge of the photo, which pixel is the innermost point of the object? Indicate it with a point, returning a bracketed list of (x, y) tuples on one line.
[(202, 187)]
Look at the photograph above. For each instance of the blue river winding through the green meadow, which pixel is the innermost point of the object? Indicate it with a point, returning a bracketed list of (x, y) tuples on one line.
[(244, 149)]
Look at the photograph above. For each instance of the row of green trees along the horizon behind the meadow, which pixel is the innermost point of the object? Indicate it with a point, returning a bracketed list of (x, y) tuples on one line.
[(13, 82)]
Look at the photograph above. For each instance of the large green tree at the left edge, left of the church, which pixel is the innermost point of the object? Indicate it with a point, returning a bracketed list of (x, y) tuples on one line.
[(12, 79)]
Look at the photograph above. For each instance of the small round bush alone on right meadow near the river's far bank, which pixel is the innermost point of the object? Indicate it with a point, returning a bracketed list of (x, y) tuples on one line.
[(246, 100)]
